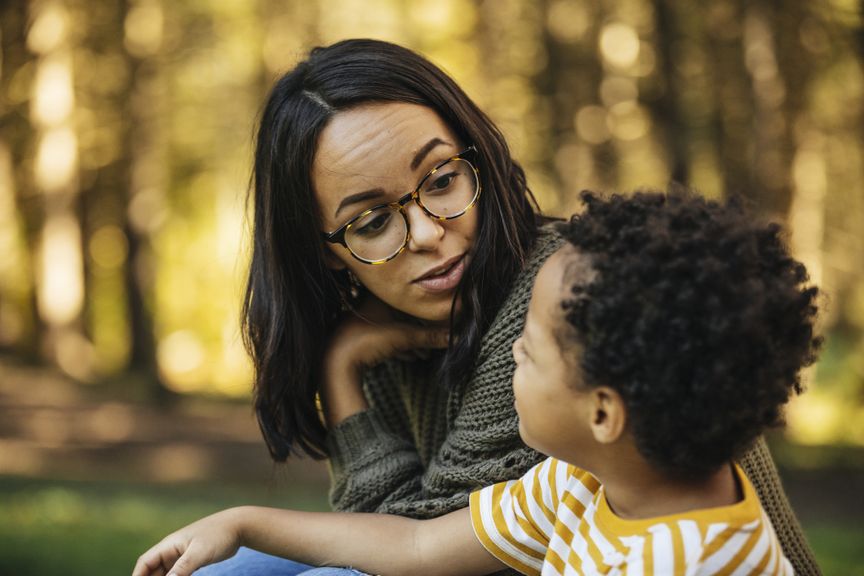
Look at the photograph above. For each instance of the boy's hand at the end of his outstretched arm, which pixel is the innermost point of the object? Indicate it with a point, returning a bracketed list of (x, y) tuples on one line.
[(206, 541)]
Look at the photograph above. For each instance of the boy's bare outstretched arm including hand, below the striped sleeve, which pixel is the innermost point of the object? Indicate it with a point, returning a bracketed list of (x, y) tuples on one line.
[(374, 543)]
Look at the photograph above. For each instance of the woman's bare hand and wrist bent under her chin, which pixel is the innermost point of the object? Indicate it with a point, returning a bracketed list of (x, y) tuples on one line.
[(366, 337)]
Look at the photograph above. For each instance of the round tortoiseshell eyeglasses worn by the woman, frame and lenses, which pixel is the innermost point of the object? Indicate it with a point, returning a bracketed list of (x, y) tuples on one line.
[(381, 233)]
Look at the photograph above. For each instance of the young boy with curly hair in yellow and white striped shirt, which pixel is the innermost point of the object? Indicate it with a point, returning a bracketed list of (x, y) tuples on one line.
[(658, 344)]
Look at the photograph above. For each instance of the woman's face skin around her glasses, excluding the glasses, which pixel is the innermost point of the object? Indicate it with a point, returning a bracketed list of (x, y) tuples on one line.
[(374, 154)]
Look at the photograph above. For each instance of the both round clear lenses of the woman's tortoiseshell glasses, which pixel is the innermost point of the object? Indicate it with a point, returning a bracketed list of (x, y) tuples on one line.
[(446, 193)]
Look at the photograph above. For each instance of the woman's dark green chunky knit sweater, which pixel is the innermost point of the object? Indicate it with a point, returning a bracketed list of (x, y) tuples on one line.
[(420, 450)]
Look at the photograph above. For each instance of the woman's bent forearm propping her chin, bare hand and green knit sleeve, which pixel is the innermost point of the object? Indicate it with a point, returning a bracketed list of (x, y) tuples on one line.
[(373, 455)]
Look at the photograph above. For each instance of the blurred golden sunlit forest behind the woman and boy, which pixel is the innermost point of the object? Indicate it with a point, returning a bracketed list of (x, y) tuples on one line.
[(123, 211)]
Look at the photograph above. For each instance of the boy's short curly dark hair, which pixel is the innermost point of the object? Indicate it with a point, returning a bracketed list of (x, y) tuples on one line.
[(699, 318)]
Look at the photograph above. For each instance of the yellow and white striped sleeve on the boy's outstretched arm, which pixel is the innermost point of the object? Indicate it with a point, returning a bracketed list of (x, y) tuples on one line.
[(515, 520)]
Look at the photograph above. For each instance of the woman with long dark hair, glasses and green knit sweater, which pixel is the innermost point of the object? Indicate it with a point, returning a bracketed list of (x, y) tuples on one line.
[(395, 246)]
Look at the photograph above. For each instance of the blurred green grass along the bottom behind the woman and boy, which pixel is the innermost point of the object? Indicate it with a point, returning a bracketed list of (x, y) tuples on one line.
[(53, 528)]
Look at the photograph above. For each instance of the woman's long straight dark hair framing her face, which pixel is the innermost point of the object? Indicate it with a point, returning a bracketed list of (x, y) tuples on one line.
[(292, 300)]
